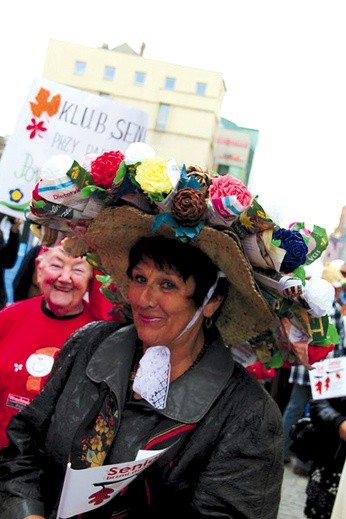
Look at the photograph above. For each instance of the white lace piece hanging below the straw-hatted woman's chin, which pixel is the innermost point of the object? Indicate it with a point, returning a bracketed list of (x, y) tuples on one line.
[(152, 377)]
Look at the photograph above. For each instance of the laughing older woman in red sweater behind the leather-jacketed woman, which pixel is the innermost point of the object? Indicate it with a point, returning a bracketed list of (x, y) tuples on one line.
[(33, 331)]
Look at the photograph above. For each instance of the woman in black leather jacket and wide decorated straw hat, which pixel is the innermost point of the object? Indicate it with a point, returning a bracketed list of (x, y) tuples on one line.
[(166, 383)]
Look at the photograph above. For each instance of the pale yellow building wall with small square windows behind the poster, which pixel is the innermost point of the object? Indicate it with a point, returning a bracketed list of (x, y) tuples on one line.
[(193, 119)]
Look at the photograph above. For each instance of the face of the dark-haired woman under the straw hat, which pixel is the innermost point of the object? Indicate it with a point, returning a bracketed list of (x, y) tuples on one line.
[(161, 303)]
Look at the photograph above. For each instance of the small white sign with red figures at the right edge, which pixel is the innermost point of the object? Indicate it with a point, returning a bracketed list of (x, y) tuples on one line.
[(328, 378)]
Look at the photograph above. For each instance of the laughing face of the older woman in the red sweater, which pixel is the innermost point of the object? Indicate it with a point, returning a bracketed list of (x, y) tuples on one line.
[(63, 281)]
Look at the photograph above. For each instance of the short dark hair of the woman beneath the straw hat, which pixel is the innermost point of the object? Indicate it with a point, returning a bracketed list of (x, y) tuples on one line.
[(186, 260)]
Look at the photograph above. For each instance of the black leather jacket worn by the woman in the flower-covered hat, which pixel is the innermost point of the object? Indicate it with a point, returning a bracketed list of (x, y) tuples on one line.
[(230, 465)]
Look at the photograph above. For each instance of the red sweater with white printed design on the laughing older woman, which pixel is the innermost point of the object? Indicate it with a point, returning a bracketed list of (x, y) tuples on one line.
[(30, 339)]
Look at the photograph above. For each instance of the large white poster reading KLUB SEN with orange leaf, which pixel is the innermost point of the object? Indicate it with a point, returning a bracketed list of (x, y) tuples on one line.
[(57, 119)]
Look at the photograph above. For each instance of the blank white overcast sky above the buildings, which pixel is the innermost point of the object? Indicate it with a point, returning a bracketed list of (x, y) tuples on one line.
[(283, 63)]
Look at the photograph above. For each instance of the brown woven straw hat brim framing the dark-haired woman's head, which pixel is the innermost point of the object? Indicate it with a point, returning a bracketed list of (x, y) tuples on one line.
[(245, 313)]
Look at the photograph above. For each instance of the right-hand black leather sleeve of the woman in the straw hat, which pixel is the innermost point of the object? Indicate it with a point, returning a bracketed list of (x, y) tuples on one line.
[(244, 473)]
